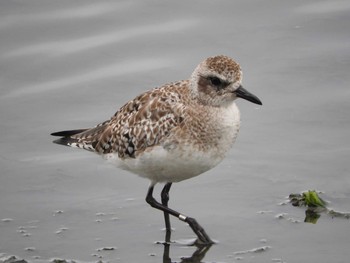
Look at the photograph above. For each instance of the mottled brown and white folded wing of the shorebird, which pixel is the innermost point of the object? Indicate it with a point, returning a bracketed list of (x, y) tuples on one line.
[(141, 123)]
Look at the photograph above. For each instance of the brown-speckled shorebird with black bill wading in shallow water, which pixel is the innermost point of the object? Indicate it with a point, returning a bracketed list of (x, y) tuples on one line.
[(172, 132)]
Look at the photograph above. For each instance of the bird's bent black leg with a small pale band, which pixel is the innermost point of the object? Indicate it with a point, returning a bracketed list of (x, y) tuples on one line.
[(203, 238)]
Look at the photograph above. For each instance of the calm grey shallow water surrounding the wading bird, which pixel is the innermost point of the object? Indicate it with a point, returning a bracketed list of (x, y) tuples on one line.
[(67, 64)]
